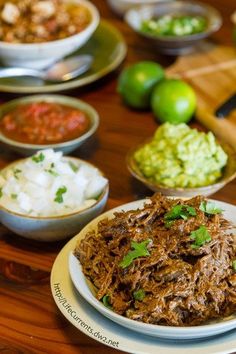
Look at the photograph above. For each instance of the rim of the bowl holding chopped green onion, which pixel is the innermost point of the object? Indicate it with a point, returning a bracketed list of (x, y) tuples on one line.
[(211, 13)]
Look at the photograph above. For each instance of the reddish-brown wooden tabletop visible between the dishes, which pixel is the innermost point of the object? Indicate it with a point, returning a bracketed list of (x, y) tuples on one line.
[(30, 322)]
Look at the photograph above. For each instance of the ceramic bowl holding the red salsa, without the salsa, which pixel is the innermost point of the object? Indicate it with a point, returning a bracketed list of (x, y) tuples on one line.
[(67, 146)]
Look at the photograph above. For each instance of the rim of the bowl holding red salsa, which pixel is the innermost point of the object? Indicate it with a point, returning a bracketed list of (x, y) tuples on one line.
[(91, 113)]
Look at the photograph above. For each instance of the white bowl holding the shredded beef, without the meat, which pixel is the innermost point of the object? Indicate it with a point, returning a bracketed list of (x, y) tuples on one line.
[(86, 289)]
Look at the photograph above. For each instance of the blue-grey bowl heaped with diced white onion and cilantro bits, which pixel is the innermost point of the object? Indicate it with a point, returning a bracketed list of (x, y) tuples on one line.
[(49, 197)]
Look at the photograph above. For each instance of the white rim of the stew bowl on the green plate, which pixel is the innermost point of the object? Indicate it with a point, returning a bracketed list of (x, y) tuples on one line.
[(95, 17)]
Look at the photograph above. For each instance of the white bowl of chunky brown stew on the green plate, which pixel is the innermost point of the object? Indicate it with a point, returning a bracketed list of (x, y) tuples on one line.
[(36, 33)]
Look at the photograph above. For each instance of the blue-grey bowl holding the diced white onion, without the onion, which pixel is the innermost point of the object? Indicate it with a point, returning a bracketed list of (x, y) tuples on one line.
[(52, 228)]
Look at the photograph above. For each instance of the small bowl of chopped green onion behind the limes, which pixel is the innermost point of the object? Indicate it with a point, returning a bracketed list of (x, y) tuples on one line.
[(174, 26)]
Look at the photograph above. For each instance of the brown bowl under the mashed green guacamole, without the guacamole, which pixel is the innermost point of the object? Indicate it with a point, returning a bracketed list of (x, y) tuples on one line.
[(130, 163)]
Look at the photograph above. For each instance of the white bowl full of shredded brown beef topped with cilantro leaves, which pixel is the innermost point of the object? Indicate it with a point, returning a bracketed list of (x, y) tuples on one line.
[(164, 267)]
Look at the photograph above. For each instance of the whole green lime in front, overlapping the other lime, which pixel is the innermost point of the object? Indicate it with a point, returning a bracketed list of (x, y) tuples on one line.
[(173, 101)]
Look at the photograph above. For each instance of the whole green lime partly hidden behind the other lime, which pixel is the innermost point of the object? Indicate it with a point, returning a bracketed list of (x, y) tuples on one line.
[(136, 82)]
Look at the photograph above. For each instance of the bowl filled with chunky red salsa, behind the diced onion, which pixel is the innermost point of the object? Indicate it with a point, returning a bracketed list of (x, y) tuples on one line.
[(38, 122)]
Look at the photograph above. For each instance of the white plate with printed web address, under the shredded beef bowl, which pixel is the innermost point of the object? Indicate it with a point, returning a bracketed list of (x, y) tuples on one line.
[(91, 322)]
